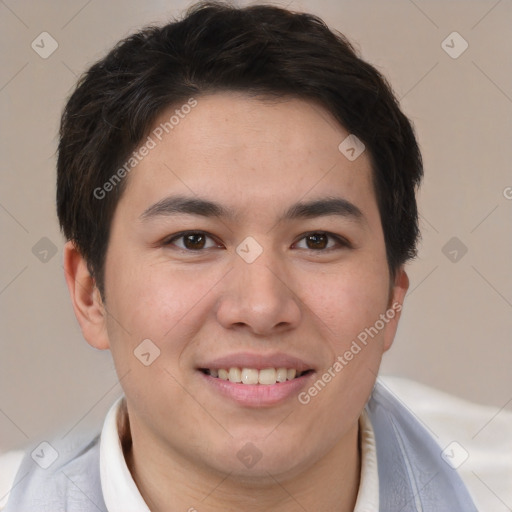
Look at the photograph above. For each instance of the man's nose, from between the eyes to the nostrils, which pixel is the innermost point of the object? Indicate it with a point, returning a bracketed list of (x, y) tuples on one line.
[(259, 297)]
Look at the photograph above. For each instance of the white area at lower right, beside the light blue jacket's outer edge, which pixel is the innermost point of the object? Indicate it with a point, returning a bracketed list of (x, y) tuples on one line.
[(475, 440)]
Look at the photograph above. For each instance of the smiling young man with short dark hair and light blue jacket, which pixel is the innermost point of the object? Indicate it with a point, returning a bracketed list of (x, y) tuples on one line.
[(238, 194)]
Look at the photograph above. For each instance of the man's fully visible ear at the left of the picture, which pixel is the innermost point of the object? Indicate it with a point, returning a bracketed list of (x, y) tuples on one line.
[(86, 299)]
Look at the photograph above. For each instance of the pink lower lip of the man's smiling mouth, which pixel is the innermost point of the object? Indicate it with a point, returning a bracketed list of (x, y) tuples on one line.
[(258, 395)]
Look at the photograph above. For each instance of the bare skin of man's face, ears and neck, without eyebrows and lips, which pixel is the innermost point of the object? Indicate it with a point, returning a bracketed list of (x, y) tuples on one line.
[(256, 158)]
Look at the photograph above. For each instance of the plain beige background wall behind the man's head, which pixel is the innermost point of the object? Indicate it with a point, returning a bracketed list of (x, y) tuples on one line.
[(457, 324)]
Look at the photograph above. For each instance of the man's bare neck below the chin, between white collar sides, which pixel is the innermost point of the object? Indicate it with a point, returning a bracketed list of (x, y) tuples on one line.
[(167, 482)]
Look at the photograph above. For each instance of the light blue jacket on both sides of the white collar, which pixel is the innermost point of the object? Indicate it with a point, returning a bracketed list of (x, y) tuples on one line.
[(412, 475)]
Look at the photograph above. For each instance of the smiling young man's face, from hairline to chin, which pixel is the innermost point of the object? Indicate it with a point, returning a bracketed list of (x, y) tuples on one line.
[(246, 240)]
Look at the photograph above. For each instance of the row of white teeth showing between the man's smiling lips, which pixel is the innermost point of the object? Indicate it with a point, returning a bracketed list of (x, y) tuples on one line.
[(254, 376)]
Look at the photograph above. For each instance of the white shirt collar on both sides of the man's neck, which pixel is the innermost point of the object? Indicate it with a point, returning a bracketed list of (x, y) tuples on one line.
[(122, 495)]
